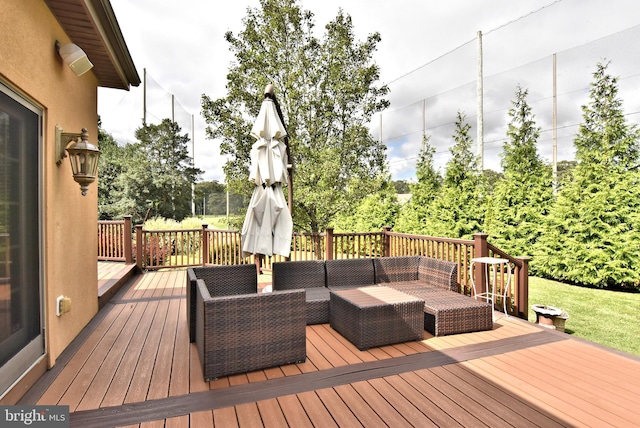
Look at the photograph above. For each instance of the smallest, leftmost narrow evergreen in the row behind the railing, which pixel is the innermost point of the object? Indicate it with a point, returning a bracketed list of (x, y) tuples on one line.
[(413, 215)]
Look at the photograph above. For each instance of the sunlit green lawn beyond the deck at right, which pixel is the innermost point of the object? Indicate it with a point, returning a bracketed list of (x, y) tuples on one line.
[(609, 318)]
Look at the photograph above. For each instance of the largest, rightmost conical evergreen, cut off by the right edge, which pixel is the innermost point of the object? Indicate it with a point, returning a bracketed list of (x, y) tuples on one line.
[(591, 236)]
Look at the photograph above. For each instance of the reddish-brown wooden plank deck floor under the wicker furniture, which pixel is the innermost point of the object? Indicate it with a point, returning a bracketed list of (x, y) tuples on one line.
[(134, 366)]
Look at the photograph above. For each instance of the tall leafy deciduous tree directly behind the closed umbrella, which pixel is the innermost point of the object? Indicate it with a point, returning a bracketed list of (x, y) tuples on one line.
[(327, 93)]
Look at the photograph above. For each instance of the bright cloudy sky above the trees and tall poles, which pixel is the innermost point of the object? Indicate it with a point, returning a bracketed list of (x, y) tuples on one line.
[(427, 47)]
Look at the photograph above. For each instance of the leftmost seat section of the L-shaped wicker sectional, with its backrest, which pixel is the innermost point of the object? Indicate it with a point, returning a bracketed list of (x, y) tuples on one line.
[(309, 275)]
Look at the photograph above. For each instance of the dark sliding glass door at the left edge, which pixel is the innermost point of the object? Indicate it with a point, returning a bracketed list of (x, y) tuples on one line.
[(21, 342)]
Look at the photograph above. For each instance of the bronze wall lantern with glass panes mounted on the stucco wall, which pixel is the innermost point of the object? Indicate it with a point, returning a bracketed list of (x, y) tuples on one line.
[(82, 154)]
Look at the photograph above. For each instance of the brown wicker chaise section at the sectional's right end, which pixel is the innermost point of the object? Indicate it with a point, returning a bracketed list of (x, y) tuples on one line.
[(448, 312)]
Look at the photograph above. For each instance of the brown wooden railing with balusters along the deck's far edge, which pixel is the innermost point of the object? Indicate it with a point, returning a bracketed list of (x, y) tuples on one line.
[(180, 248)]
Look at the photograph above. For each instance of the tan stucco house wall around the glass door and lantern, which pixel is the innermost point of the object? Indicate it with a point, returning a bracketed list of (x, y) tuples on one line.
[(30, 64)]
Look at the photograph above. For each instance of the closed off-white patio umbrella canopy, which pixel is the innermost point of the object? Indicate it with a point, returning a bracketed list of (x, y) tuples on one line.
[(268, 226)]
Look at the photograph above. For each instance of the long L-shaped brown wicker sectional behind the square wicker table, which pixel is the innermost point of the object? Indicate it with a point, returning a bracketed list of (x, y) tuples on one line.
[(446, 311)]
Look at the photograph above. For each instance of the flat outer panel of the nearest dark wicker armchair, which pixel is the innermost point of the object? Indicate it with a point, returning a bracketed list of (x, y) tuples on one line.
[(237, 334)]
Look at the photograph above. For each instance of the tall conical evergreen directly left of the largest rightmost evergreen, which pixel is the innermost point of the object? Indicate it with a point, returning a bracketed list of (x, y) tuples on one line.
[(523, 196)]
